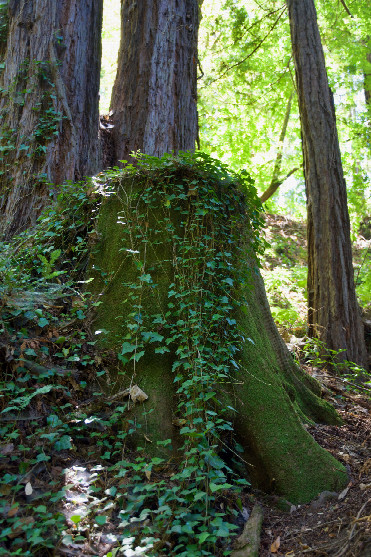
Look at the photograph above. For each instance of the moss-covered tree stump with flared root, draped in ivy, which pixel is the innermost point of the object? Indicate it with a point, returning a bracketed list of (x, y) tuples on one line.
[(140, 263)]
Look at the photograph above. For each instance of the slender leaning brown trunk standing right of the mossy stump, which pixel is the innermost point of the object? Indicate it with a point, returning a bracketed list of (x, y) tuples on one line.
[(333, 313)]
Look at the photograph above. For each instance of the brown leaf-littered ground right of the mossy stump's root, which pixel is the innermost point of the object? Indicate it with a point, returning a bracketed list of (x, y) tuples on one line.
[(337, 525)]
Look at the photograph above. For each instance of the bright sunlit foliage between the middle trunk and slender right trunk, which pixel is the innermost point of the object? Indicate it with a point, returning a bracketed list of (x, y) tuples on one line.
[(246, 58)]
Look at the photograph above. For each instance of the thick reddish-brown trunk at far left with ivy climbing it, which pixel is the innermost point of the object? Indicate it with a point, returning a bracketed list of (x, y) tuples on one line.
[(49, 103)]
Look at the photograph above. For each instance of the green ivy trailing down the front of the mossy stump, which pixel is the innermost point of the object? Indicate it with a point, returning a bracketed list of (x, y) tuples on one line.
[(198, 203)]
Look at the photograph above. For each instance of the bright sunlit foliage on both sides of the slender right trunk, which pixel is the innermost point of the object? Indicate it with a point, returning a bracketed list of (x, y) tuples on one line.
[(248, 76)]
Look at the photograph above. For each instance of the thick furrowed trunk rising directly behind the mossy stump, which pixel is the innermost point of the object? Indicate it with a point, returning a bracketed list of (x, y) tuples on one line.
[(154, 98)]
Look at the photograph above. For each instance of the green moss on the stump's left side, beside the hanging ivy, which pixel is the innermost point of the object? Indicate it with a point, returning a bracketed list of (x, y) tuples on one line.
[(113, 269)]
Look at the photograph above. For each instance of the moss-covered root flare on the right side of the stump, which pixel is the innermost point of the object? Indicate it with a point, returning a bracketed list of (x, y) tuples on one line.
[(272, 404)]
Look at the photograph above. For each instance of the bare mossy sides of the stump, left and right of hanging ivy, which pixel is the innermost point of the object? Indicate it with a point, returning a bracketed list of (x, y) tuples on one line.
[(272, 396)]
